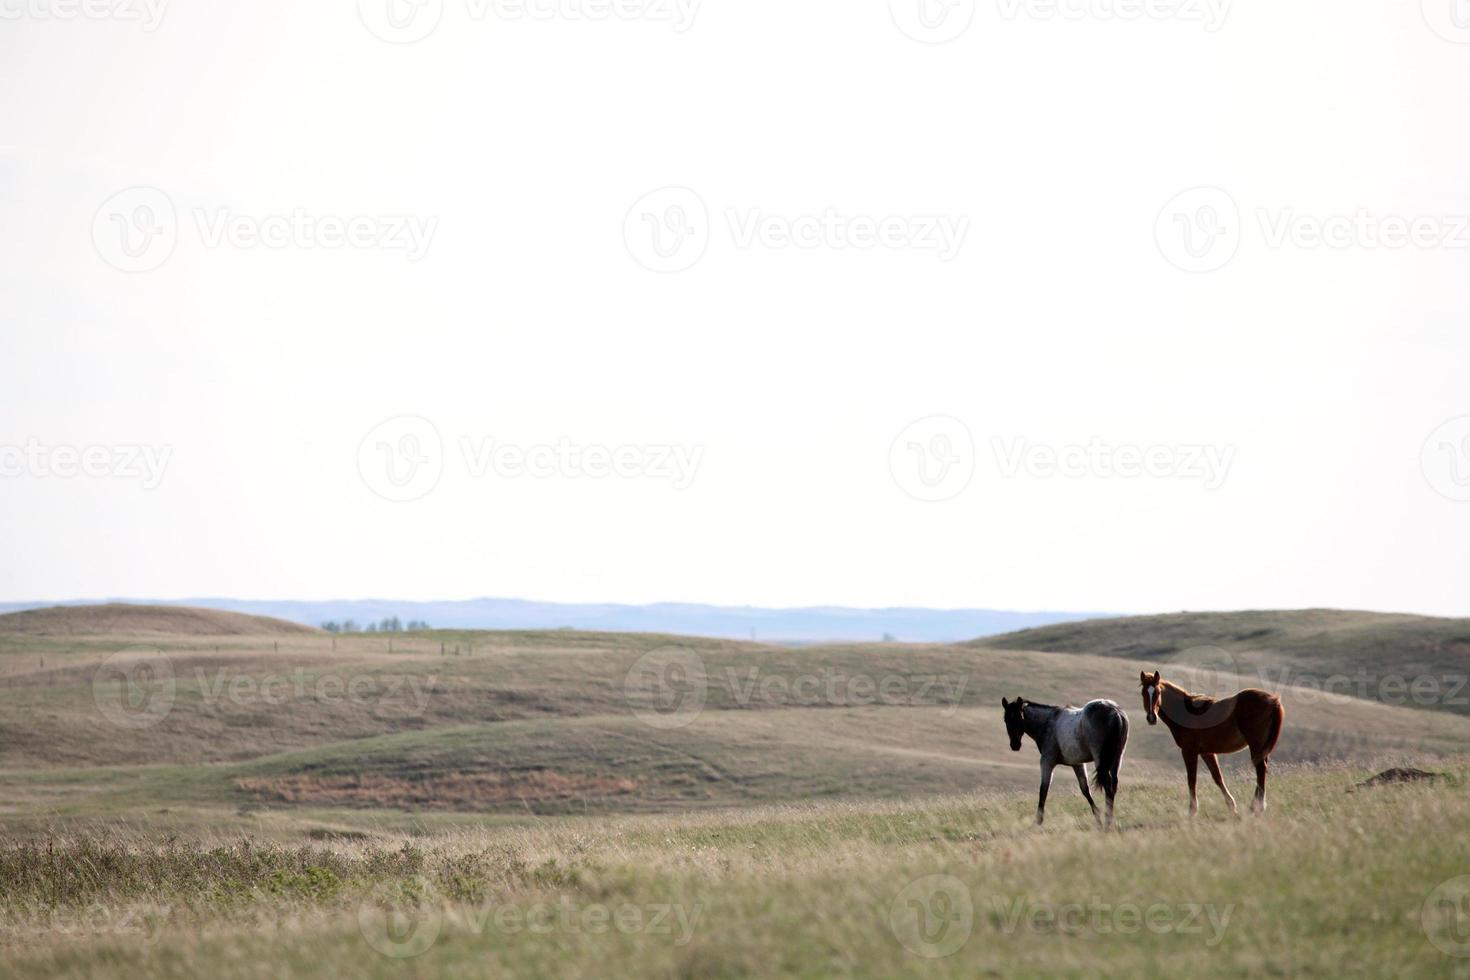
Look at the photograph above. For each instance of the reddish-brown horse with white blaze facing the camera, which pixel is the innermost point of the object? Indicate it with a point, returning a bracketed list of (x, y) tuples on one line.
[(1205, 728)]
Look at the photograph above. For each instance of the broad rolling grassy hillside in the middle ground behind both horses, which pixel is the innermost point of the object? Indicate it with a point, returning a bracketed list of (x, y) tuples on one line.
[(273, 732)]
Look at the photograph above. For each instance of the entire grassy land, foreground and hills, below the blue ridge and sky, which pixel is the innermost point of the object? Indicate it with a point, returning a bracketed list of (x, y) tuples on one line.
[(283, 803)]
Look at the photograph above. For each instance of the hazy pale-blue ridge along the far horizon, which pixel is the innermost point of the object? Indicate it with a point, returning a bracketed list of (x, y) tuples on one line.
[(774, 625)]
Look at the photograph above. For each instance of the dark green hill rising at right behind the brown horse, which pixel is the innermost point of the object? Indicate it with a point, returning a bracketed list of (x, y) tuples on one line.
[(1374, 656)]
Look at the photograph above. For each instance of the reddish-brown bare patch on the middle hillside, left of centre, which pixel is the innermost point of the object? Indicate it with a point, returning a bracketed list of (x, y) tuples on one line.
[(459, 791)]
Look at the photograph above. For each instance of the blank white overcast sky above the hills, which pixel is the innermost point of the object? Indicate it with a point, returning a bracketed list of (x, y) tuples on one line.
[(743, 303)]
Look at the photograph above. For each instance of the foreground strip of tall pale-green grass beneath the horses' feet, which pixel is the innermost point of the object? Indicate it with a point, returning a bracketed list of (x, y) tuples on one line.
[(1330, 884)]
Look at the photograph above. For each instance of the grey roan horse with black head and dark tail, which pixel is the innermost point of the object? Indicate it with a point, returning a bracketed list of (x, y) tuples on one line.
[(1097, 732)]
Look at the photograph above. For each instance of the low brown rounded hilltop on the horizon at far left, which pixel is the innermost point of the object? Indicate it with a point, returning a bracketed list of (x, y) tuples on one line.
[(118, 619)]
